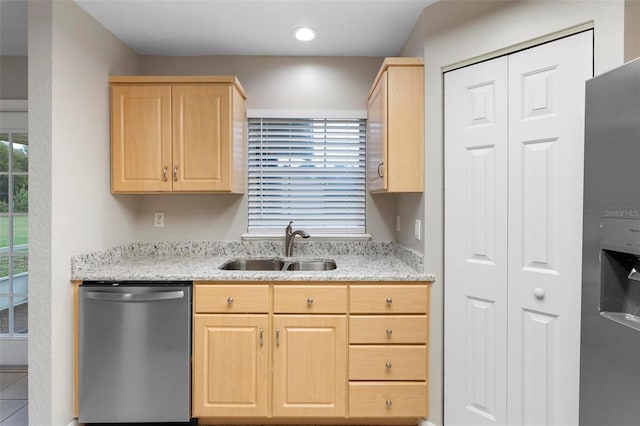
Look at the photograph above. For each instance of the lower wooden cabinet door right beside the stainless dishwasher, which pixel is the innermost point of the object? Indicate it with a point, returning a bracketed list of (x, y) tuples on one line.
[(230, 365)]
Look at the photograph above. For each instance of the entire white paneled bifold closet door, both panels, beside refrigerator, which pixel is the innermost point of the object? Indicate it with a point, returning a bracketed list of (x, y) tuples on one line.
[(513, 225)]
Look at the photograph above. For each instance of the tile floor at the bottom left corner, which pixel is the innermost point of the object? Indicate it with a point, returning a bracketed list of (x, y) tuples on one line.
[(13, 396)]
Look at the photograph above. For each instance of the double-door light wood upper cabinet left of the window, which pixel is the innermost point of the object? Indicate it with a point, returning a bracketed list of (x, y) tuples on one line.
[(177, 134)]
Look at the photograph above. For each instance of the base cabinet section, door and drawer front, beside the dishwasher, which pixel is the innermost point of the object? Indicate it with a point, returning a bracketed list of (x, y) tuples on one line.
[(230, 351)]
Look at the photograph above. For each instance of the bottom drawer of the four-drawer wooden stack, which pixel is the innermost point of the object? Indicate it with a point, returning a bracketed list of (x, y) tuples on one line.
[(388, 399)]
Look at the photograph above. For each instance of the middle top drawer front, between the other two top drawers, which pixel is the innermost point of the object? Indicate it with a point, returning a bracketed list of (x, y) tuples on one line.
[(310, 299)]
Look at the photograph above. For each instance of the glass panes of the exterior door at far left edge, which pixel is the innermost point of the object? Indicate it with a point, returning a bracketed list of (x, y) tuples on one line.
[(14, 232)]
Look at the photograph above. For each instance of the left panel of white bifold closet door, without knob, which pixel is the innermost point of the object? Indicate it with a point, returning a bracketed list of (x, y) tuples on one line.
[(476, 244)]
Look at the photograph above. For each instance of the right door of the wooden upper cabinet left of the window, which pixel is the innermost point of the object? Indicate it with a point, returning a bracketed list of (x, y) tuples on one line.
[(201, 138)]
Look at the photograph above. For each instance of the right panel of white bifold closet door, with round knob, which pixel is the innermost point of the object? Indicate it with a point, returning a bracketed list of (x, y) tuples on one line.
[(546, 149)]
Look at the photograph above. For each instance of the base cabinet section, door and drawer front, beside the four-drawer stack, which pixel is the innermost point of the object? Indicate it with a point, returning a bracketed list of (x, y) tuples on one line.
[(310, 352)]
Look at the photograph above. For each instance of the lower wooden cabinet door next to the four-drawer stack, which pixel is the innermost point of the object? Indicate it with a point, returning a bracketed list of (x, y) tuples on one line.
[(309, 365)]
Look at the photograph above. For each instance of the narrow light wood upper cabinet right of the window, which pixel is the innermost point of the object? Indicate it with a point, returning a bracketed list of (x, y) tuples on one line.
[(395, 127)]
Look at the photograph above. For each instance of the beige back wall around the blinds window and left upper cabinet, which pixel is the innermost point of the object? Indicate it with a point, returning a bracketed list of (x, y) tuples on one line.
[(285, 83)]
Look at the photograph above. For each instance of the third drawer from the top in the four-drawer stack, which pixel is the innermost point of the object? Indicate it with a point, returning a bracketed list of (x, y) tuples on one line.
[(388, 363)]
